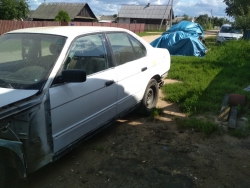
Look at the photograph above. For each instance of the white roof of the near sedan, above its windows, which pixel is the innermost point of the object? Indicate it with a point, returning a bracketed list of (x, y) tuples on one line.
[(67, 31)]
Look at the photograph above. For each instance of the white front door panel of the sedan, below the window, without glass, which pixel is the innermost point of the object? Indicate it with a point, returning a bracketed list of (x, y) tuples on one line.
[(78, 108)]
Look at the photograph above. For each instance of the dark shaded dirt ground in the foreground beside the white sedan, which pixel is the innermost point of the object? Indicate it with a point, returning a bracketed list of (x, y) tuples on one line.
[(137, 152)]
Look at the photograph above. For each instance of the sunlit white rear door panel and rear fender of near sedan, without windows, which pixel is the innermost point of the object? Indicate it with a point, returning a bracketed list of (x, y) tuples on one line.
[(132, 77)]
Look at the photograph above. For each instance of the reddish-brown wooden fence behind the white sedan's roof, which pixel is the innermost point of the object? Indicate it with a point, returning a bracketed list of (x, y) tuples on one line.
[(7, 25)]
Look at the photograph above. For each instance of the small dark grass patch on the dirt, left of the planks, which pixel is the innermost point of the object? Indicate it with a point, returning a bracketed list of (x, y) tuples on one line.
[(196, 124)]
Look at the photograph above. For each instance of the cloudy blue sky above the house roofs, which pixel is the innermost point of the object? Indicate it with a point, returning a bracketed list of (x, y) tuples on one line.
[(110, 7)]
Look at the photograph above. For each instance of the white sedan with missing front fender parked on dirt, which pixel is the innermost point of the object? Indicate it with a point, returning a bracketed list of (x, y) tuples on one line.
[(60, 85)]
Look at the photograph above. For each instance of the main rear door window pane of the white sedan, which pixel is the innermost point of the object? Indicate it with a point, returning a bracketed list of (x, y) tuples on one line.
[(122, 49)]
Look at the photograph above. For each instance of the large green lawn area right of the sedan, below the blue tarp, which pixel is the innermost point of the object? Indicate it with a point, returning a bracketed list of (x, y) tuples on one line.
[(205, 81)]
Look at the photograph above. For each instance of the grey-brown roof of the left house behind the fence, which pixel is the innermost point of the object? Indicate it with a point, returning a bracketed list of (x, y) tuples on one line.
[(50, 10)]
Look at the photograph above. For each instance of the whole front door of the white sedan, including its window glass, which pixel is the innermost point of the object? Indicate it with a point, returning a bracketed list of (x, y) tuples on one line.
[(79, 108)]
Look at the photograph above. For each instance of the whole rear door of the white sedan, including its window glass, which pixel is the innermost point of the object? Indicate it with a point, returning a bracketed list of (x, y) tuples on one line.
[(131, 68)]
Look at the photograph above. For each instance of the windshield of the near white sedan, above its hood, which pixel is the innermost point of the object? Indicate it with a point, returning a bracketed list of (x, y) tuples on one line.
[(27, 59)]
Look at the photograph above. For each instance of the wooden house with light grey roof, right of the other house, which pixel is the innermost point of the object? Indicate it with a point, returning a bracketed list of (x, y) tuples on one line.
[(148, 14)]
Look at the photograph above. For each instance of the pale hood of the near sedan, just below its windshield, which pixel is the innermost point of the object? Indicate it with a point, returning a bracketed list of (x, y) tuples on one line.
[(9, 96)]
